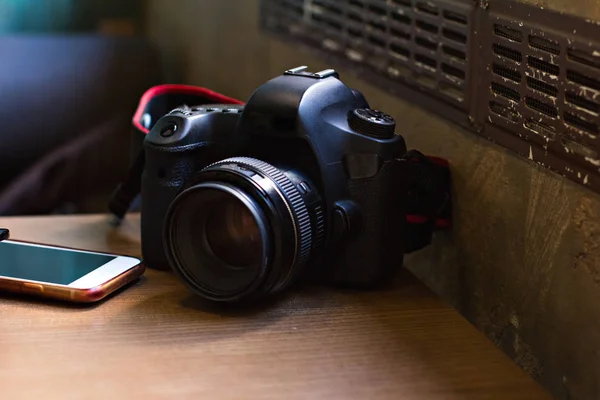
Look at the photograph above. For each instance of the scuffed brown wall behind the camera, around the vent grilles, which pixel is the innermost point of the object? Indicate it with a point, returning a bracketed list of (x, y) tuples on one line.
[(523, 260)]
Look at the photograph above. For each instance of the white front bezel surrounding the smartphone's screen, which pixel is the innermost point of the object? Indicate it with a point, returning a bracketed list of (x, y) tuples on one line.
[(98, 277)]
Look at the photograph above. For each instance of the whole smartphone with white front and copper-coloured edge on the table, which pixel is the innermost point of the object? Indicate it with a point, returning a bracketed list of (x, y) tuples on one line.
[(62, 273)]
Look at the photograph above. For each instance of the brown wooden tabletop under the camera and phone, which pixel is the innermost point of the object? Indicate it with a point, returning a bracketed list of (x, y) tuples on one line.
[(155, 340)]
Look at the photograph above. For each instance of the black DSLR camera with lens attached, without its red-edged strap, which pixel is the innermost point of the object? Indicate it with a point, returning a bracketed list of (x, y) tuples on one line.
[(304, 180)]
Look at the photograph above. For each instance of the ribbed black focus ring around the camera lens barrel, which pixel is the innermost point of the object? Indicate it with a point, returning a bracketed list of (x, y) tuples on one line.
[(292, 197)]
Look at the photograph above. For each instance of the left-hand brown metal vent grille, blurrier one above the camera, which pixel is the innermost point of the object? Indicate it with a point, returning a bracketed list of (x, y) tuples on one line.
[(423, 44)]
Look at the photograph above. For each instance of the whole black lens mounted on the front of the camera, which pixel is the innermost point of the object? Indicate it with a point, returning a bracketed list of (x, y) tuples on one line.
[(241, 228)]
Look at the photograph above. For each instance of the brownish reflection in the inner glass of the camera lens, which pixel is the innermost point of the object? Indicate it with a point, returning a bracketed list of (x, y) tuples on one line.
[(233, 235)]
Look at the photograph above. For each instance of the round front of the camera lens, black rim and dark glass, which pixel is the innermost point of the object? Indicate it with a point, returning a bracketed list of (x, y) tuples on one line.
[(218, 239)]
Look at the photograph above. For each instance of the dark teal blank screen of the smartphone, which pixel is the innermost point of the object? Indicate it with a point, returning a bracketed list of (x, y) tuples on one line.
[(47, 264)]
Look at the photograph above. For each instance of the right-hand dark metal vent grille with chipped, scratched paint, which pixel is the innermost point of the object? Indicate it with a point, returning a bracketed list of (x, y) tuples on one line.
[(544, 87)]
